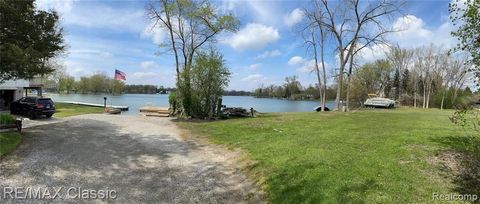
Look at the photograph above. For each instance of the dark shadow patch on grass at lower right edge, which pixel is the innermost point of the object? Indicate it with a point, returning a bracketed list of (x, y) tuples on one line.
[(467, 150)]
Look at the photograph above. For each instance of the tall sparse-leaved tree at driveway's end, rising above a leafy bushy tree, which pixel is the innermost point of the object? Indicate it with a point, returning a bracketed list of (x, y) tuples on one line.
[(191, 24)]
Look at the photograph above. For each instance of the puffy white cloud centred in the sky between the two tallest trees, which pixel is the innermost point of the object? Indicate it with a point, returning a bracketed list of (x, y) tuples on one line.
[(252, 36)]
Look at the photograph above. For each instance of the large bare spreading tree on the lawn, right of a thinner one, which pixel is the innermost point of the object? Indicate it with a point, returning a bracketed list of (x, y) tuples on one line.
[(353, 28)]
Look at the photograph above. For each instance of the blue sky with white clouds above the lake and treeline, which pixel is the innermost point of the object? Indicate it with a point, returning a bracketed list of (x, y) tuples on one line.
[(102, 36)]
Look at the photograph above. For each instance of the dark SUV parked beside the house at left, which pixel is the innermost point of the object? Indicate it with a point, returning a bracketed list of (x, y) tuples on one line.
[(33, 107)]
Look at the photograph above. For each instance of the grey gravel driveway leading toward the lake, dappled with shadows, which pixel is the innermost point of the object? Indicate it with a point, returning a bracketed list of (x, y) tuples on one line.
[(135, 158)]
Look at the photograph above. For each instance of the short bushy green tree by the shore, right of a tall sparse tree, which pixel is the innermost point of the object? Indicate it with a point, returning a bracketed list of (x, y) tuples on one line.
[(210, 77)]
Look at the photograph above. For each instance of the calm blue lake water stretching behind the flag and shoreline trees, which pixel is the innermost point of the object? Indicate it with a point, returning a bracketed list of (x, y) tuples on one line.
[(135, 101)]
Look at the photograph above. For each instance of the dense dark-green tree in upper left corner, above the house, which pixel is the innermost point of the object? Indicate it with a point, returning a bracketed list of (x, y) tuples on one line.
[(29, 39)]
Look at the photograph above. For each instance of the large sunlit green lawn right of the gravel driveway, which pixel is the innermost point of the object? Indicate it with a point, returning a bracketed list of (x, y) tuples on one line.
[(371, 156)]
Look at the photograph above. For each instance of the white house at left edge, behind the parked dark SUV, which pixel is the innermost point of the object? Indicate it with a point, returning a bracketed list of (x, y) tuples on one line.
[(12, 90)]
